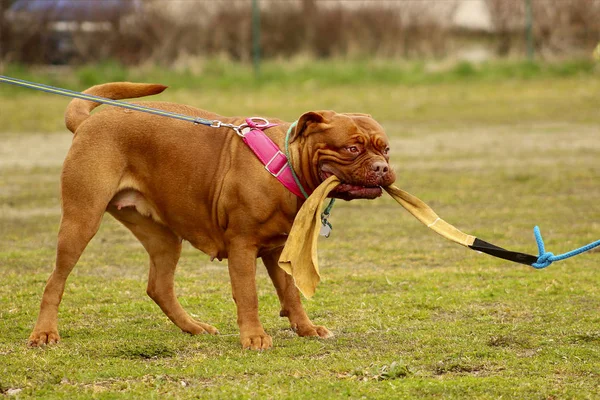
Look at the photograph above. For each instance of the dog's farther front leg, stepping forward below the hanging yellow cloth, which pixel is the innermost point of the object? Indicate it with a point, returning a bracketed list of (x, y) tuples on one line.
[(289, 297)]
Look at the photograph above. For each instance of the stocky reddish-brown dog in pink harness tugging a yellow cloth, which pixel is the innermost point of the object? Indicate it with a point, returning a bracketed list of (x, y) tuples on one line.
[(168, 180)]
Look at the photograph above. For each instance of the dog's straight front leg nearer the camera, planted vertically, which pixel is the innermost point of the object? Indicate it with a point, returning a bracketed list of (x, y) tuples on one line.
[(242, 271)]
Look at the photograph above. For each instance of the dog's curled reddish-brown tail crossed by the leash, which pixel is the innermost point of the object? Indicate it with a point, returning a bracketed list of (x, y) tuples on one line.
[(78, 110)]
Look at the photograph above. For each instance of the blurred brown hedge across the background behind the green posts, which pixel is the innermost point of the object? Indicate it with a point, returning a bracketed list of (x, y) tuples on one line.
[(167, 31)]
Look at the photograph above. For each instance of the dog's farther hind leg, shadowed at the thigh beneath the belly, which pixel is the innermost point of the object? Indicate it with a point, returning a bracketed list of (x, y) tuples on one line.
[(164, 248)]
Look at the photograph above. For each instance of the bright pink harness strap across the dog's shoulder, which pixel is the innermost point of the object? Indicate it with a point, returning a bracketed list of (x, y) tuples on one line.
[(270, 155)]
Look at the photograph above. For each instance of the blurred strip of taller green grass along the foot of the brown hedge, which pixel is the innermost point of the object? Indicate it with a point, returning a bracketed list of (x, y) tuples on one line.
[(219, 73)]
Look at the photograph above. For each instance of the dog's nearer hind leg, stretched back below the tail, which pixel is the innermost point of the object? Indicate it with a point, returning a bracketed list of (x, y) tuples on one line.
[(89, 179)]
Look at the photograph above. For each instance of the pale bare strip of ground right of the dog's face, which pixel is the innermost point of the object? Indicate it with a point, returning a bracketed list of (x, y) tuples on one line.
[(504, 147)]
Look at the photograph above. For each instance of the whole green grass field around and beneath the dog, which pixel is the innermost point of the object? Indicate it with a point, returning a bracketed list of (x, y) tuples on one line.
[(414, 316)]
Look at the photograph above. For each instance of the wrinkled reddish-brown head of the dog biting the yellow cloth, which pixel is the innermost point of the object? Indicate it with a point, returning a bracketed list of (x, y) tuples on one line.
[(352, 147)]
